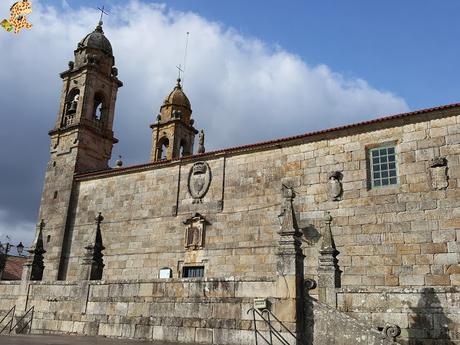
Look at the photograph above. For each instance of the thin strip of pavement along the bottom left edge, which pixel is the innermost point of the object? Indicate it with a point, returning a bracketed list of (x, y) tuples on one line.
[(71, 340)]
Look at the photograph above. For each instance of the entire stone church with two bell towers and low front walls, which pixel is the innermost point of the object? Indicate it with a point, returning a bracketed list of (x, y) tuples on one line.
[(348, 235)]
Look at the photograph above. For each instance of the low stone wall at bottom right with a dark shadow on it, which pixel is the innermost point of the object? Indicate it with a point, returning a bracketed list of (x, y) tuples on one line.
[(428, 315)]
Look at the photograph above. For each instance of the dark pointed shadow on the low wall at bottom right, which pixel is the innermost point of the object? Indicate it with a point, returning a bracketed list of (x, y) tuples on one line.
[(428, 324)]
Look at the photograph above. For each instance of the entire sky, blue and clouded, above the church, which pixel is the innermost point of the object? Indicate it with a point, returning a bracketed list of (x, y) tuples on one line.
[(255, 70)]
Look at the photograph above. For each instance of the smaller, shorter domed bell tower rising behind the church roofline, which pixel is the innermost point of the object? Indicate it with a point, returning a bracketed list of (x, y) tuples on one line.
[(173, 133)]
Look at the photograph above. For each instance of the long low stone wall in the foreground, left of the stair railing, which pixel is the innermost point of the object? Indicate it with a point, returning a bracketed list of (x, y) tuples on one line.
[(186, 310)]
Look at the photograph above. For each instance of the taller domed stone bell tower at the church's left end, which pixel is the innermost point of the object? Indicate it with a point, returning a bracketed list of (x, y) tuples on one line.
[(81, 140)]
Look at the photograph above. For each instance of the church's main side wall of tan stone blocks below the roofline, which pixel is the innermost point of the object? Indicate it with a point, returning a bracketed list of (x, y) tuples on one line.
[(403, 235)]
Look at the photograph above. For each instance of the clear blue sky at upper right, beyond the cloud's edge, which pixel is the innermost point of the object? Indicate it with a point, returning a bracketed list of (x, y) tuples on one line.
[(408, 47)]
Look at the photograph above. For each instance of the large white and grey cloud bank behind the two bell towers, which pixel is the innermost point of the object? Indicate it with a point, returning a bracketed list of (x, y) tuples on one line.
[(242, 90)]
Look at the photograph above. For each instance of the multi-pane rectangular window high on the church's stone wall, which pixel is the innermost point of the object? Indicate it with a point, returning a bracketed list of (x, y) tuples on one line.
[(383, 166)]
